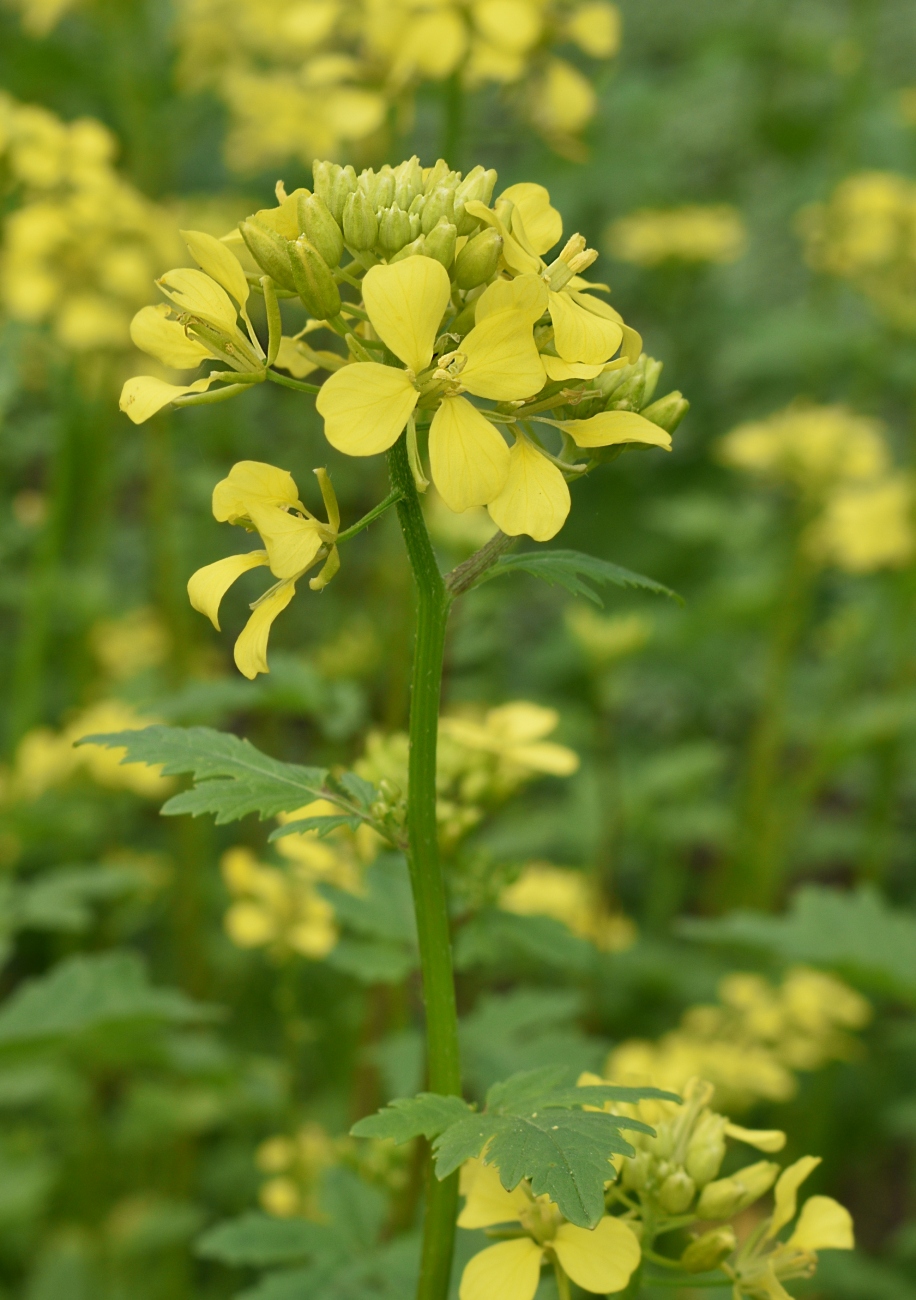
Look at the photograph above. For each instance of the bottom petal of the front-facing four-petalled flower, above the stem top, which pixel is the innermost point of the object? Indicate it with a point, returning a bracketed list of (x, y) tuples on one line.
[(468, 458)]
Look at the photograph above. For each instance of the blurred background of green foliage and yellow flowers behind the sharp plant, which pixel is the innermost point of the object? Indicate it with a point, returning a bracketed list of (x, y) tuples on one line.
[(724, 883)]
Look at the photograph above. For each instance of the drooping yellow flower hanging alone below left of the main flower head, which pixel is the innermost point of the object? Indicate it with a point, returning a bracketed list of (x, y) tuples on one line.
[(267, 500)]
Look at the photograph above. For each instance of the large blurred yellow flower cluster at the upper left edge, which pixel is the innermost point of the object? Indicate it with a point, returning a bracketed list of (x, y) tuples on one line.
[(80, 245)]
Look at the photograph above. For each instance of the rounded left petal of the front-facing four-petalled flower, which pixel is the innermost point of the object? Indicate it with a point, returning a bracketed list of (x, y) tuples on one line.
[(366, 406)]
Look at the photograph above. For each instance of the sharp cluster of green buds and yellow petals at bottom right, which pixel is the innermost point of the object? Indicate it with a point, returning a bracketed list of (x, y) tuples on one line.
[(672, 1184)]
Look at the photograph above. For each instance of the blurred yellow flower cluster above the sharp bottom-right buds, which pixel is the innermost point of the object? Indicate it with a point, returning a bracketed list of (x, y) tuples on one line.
[(752, 1045)]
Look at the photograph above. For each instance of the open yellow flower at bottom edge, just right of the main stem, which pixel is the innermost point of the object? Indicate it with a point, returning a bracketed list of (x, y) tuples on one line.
[(600, 1260)]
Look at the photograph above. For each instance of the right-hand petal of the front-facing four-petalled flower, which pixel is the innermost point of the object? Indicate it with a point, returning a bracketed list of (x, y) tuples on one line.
[(502, 359)]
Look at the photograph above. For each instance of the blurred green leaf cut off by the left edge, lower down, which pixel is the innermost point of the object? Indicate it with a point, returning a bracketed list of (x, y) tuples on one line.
[(89, 991)]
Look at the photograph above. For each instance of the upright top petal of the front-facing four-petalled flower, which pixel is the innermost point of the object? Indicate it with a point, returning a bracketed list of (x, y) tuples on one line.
[(406, 305)]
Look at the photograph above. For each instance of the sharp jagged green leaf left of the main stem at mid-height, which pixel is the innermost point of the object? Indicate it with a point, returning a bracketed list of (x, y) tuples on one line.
[(232, 778)]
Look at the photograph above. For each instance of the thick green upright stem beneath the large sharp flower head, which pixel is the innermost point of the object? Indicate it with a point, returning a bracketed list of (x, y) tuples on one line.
[(427, 878)]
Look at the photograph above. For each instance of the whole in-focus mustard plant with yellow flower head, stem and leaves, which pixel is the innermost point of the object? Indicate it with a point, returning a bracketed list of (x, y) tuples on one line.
[(462, 348)]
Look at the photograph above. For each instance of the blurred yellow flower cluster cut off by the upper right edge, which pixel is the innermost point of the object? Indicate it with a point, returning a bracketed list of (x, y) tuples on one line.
[(866, 233)]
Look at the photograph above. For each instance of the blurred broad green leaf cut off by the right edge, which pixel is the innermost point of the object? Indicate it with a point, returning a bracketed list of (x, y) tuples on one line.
[(857, 934)]
